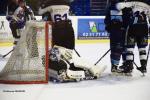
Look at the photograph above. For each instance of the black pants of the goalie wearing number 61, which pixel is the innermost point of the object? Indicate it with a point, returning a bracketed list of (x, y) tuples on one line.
[(63, 34)]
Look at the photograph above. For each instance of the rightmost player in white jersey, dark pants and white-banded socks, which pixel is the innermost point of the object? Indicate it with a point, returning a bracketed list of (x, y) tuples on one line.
[(137, 33)]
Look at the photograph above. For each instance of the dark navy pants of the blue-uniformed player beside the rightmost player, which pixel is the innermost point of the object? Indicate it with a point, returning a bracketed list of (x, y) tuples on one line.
[(117, 37)]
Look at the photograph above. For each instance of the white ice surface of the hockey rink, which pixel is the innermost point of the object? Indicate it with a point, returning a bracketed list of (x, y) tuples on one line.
[(108, 87)]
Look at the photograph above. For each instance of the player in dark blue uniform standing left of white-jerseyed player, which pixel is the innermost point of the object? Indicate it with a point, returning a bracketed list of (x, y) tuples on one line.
[(114, 25)]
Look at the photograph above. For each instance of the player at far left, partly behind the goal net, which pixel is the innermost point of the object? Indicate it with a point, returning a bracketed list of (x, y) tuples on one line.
[(17, 18)]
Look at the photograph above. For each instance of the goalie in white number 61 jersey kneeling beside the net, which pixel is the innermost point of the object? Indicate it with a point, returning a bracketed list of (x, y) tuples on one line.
[(63, 39)]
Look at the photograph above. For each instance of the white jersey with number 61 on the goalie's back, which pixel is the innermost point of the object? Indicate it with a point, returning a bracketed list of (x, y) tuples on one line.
[(57, 12)]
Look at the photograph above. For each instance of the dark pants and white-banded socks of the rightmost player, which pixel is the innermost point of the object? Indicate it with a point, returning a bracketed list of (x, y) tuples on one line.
[(137, 34)]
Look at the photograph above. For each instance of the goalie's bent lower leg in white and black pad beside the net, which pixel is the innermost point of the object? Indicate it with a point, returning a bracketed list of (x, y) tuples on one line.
[(61, 63)]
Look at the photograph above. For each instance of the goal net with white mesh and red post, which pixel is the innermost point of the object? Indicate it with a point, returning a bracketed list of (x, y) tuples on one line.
[(25, 64)]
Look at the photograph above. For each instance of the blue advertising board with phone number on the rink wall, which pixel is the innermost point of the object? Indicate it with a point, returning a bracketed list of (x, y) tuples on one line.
[(91, 29)]
